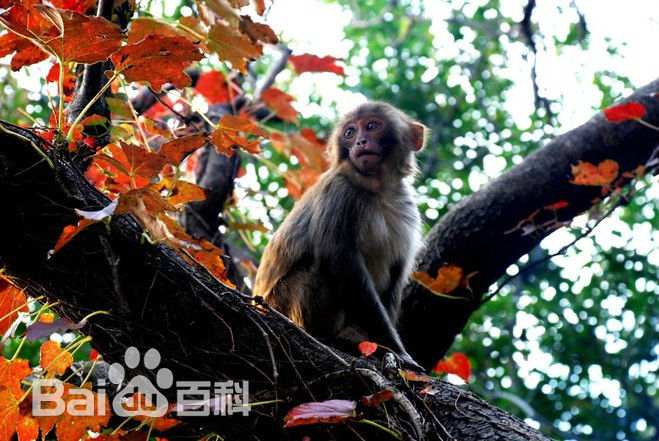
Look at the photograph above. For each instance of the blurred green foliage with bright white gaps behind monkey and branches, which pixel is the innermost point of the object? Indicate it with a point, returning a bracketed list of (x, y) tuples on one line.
[(570, 346)]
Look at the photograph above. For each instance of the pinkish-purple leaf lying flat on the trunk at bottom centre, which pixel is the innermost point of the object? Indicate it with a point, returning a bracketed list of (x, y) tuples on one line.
[(331, 411)]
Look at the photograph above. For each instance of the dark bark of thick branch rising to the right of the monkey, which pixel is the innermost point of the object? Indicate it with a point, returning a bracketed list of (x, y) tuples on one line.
[(476, 234)]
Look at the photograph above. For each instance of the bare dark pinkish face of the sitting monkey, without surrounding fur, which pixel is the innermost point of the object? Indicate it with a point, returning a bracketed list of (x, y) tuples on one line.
[(368, 140)]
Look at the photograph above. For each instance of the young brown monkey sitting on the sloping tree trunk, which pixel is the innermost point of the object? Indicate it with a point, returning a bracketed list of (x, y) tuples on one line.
[(343, 254)]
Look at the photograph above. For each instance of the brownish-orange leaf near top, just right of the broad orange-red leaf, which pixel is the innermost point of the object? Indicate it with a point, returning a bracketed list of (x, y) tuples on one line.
[(232, 46)]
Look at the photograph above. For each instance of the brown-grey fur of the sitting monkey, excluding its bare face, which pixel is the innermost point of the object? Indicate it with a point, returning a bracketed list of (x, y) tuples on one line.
[(385, 225)]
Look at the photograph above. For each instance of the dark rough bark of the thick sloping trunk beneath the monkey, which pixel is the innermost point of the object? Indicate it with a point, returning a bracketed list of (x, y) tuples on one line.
[(203, 330)]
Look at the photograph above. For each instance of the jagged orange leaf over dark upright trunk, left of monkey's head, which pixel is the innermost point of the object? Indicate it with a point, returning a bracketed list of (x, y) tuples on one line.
[(225, 137)]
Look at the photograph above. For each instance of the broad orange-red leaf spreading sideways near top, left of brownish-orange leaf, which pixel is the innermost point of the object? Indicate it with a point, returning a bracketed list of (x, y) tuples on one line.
[(158, 60)]
